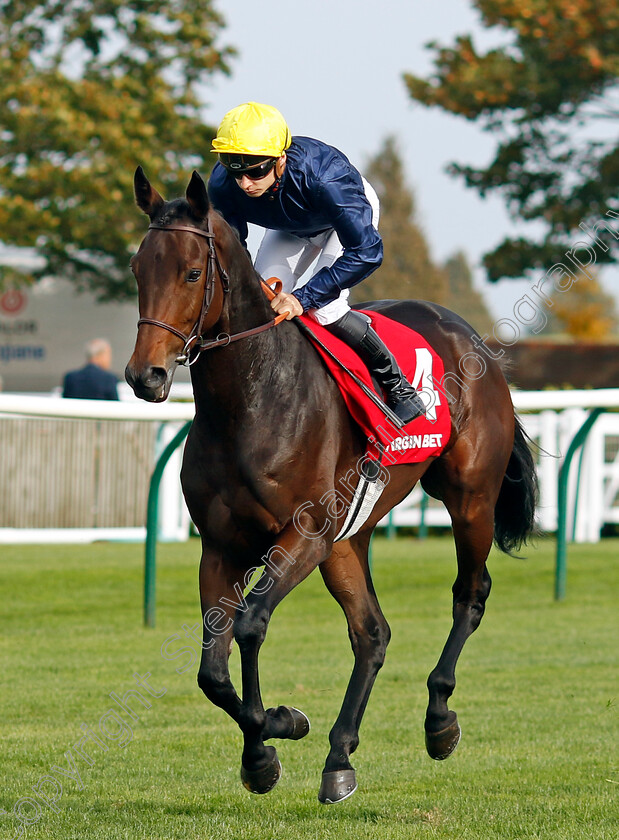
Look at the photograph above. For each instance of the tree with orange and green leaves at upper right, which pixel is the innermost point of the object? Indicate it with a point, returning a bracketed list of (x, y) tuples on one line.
[(548, 96)]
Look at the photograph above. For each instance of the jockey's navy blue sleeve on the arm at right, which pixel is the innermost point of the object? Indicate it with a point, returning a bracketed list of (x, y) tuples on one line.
[(344, 202)]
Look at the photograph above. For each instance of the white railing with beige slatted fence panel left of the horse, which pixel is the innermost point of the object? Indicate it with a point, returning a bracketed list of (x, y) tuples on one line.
[(42, 482)]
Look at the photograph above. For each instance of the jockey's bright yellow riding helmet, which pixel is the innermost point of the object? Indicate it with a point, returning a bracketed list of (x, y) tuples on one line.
[(252, 129)]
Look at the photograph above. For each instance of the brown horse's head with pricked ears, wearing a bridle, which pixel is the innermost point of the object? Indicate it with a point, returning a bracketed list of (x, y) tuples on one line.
[(180, 290)]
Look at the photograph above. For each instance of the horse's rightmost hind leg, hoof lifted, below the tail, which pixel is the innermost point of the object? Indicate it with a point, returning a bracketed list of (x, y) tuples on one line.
[(473, 536)]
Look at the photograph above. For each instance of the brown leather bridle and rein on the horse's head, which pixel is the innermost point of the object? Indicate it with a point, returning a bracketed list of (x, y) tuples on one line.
[(195, 339)]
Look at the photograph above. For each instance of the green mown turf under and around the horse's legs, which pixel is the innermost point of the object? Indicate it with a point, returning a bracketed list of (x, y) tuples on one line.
[(537, 699)]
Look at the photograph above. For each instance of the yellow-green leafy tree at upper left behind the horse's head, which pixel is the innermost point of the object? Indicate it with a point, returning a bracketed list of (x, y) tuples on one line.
[(88, 90)]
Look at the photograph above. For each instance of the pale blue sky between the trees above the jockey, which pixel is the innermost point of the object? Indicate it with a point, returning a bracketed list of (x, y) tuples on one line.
[(334, 69)]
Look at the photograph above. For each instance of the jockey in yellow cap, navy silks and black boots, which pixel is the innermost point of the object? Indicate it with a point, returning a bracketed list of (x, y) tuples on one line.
[(313, 204)]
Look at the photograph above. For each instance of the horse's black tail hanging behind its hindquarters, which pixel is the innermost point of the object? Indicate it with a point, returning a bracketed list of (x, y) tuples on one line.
[(514, 512)]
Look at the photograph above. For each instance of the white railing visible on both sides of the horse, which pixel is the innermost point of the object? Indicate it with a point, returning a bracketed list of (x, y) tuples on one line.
[(551, 419)]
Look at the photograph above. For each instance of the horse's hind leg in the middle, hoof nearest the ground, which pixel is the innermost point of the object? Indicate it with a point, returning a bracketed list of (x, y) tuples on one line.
[(347, 577)]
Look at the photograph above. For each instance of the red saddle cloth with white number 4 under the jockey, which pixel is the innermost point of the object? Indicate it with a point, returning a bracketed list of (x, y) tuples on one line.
[(421, 438)]
